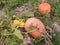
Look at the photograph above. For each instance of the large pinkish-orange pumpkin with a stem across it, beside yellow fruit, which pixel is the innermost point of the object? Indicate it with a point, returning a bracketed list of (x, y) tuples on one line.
[(36, 23)]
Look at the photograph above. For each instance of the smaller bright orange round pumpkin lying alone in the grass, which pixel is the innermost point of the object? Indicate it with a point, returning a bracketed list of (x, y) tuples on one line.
[(44, 8)]
